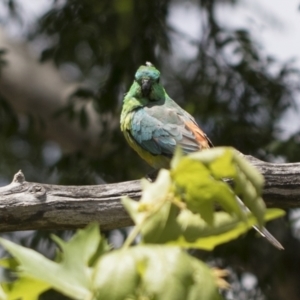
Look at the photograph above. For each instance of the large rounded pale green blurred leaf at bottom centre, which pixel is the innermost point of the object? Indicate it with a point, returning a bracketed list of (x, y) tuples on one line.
[(153, 272)]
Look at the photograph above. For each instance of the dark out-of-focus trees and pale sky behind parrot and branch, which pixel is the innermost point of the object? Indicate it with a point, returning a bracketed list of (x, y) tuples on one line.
[(233, 64)]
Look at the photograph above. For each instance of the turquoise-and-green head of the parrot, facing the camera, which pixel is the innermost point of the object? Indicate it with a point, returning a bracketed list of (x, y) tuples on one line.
[(147, 77)]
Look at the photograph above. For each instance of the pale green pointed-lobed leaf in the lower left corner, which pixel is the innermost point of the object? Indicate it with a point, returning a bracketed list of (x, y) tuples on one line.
[(72, 275)]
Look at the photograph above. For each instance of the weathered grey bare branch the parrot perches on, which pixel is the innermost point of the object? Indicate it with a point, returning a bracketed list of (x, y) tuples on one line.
[(27, 205)]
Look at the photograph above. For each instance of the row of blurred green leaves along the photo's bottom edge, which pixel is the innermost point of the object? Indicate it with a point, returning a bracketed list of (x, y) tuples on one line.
[(122, 274)]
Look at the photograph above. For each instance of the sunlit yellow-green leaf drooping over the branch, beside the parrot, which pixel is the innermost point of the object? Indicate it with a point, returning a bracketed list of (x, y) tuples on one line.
[(199, 184)]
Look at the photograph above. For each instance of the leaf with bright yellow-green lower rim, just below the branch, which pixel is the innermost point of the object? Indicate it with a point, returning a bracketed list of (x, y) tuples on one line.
[(189, 230)]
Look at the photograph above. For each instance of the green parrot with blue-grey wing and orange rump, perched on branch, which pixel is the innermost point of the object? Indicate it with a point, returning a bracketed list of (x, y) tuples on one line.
[(154, 125)]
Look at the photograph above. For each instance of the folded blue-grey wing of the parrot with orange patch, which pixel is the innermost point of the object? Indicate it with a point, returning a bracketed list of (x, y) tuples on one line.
[(159, 130)]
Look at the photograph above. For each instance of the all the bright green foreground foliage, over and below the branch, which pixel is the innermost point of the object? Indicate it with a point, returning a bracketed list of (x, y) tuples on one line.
[(175, 212)]
